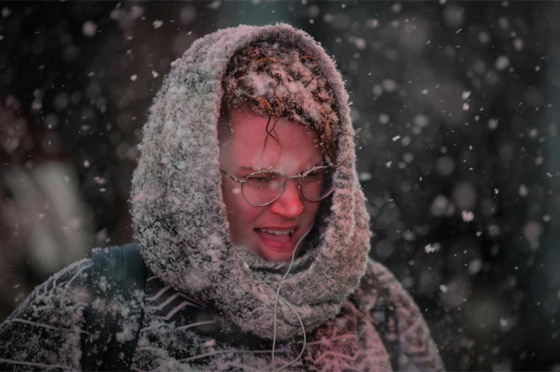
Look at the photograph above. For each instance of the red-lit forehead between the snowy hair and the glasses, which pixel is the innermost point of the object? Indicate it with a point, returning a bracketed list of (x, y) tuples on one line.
[(287, 146)]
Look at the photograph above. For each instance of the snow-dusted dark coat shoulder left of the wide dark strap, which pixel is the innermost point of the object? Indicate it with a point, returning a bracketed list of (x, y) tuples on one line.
[(44, 331)]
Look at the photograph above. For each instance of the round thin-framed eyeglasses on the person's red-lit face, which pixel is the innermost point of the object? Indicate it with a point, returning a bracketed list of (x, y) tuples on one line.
[(263, 187)]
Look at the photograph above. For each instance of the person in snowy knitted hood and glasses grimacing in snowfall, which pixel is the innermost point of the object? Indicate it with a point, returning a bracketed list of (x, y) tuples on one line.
[(253, 229)]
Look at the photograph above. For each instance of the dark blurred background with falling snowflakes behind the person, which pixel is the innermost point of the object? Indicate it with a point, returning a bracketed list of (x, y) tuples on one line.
[(457, 108)]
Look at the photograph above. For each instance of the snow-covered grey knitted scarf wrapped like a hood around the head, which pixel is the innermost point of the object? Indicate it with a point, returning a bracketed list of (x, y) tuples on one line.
[(180, 218)]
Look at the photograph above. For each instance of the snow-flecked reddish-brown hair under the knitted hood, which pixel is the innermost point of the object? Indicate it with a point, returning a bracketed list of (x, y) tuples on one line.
[(277, 80)]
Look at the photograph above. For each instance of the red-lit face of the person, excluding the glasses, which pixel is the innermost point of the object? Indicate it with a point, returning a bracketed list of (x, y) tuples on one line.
[(271, 231)]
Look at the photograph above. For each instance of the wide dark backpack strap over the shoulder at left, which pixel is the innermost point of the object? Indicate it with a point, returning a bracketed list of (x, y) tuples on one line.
[(117, 274)]
